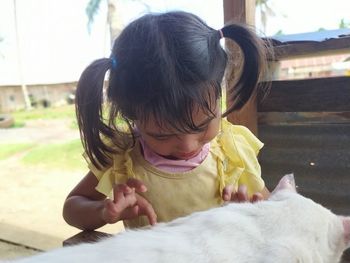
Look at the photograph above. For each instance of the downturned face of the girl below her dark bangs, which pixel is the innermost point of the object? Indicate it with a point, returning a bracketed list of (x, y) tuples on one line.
[(174, 145)]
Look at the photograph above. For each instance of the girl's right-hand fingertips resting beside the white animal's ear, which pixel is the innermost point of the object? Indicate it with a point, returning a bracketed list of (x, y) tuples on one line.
[(241, 195)]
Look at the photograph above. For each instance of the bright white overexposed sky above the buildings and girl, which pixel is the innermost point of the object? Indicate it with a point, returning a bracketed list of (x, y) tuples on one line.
[(55, 45)]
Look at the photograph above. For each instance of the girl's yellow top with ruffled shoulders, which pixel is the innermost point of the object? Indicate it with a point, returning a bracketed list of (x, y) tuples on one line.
[(232, 159)]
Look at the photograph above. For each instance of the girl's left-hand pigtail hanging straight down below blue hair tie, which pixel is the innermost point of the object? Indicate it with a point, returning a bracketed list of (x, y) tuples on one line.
[(89, 111)]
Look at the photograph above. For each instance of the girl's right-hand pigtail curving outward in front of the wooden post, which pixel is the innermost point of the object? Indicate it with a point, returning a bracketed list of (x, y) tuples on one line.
[(254, 56)]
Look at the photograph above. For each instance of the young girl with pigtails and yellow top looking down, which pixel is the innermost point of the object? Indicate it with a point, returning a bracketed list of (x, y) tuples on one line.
[(175, 155)]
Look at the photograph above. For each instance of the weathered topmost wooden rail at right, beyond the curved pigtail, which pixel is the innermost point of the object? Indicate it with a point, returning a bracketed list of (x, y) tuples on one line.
[(309, 49)]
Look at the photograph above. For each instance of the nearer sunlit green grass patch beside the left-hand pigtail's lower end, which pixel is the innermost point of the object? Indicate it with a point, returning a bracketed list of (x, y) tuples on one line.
[(65, 156)]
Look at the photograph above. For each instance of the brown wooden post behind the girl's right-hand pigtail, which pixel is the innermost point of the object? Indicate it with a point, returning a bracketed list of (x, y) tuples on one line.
[(241, 11)]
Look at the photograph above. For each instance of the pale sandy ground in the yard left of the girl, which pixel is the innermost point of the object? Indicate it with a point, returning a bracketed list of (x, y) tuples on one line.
[(32, 197)]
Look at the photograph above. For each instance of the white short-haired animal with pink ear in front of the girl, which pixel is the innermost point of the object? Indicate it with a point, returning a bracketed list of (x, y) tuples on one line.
[(286, 228)]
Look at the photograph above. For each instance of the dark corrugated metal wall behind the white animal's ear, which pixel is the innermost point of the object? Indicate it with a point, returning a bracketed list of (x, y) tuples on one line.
[(319, 157)]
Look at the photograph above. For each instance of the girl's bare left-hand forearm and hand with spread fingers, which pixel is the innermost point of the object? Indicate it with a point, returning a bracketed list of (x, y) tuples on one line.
[(87, 209)]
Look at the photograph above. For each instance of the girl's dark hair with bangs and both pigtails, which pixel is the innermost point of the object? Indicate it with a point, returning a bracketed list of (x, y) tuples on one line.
[(161, 66)]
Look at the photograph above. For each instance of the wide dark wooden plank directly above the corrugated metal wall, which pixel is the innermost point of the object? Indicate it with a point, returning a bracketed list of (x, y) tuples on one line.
[(307, 95)]
